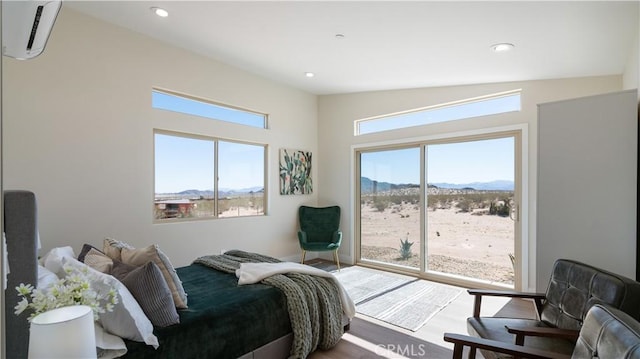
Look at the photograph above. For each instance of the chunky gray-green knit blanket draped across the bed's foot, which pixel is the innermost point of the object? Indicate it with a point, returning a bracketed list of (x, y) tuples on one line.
[(314, 303)]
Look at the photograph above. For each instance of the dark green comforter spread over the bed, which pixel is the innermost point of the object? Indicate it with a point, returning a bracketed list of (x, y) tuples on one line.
[(223, 320)]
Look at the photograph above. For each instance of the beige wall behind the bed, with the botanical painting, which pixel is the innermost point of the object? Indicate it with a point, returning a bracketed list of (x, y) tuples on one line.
[(78, 131)]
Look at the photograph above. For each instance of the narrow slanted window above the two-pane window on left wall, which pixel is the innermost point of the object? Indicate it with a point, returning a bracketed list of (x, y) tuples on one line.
[(189, 105)]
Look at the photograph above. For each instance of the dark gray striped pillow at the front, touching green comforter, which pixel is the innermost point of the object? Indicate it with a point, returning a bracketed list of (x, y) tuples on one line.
[(150, 289)]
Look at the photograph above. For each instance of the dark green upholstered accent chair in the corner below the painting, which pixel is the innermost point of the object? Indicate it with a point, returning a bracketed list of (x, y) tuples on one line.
[(320, 230)]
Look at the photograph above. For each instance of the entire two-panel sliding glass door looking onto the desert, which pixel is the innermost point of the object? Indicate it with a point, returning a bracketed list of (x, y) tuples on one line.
[(445, 208)]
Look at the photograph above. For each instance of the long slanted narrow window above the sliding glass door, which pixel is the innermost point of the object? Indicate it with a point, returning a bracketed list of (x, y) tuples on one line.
[(482, 106)]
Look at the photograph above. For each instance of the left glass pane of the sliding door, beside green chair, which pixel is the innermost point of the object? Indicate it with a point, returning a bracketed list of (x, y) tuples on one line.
[(390, 207)]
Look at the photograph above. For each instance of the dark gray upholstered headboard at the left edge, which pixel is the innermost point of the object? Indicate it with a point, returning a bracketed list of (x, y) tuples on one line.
[(21, 230)]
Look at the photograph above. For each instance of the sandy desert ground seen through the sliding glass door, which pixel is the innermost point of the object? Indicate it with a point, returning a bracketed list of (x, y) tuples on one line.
[(463, 240)]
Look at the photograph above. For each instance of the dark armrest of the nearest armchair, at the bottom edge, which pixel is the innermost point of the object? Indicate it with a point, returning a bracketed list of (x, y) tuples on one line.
[(460, 341)]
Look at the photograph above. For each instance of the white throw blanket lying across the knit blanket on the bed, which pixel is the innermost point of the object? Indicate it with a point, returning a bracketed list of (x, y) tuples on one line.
[(250, 273)]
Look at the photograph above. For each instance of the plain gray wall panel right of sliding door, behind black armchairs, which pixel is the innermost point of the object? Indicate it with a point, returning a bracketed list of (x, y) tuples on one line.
[(580, 180)]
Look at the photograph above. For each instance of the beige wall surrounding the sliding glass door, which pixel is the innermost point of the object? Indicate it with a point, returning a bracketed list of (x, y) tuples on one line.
[(337, 112)]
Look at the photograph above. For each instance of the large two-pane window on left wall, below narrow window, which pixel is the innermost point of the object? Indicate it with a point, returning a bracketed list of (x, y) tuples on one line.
[(186, 168)]
